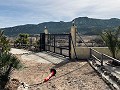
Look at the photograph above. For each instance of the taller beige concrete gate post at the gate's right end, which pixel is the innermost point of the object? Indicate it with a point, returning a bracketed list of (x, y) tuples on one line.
[(73, 42)]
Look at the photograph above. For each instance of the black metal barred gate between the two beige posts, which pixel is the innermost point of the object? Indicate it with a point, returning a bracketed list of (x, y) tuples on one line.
[(57, 43)]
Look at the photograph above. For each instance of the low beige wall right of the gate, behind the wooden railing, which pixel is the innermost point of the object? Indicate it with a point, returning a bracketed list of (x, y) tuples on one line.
[(84, 52)]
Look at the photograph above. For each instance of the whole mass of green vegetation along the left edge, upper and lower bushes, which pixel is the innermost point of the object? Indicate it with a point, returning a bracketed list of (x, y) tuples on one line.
[(8, 62)]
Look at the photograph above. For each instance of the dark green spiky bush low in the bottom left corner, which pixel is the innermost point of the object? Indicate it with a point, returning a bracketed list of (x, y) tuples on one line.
[(8, 62)]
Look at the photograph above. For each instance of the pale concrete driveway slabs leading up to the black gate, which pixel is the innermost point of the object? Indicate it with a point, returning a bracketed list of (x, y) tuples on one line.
[(42, 57)]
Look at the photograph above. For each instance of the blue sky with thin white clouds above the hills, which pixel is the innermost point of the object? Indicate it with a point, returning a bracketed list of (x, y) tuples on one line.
[(20, 12)]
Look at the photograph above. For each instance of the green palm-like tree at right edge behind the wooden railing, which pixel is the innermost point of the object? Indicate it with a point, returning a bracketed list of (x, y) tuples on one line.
[(111, 39)]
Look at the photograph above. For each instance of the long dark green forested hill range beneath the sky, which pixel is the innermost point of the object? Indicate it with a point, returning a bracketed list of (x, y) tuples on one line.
[(85, 25)]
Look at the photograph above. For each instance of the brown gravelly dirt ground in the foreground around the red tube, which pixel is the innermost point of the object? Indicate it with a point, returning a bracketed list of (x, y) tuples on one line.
[(77, 75)]
